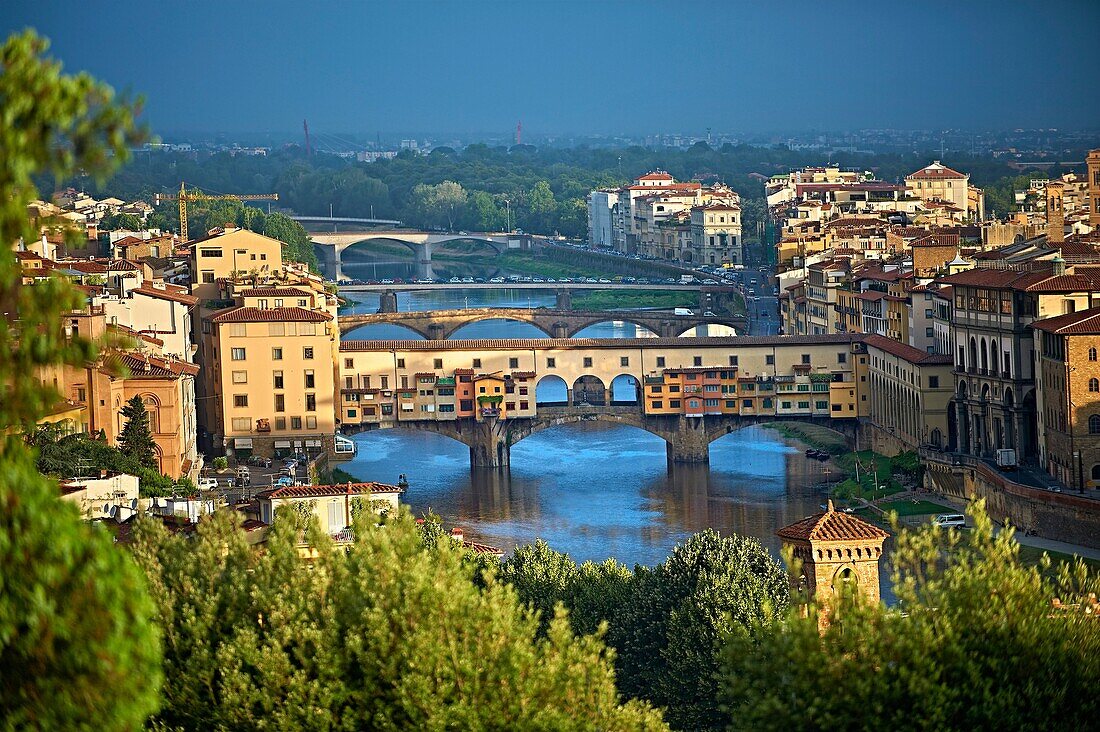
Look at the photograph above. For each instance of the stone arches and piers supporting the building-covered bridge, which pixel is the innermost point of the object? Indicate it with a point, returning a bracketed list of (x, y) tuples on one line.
[(688, 440)]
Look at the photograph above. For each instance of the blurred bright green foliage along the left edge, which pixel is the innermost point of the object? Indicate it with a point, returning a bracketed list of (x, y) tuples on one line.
[(78, 649)]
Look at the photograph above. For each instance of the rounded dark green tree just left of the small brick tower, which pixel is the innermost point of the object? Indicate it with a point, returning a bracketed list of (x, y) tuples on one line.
[(668, 635)]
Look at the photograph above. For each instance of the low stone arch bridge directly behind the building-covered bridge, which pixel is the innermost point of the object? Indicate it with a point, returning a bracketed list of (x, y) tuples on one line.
[(441, 325)]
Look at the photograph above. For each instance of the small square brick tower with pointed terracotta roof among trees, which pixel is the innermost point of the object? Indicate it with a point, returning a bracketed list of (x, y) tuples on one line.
[(835, 549)]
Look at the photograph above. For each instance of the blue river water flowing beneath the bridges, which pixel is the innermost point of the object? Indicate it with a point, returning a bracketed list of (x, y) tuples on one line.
[(593, 490)]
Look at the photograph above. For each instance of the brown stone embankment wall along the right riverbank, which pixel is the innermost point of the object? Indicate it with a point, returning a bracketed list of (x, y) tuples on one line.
[(1063, 517)]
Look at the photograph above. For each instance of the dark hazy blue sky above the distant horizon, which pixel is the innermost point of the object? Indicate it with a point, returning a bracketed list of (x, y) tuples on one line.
[(587, 68)]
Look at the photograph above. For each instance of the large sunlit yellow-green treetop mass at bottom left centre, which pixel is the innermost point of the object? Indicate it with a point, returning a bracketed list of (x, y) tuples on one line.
[(389, 635)]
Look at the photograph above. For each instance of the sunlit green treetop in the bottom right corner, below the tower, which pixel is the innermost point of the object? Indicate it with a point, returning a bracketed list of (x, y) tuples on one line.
[(975, 642)]
